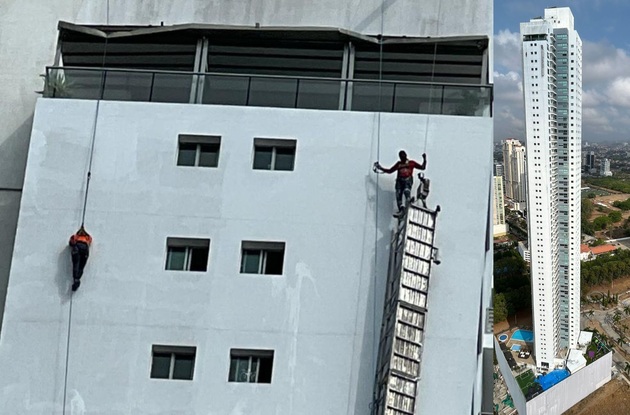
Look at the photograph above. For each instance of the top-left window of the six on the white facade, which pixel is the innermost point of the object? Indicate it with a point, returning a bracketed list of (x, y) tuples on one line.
[(198, 150)]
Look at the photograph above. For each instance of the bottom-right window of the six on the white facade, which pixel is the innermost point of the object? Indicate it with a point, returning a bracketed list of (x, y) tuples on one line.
[(250, 366)]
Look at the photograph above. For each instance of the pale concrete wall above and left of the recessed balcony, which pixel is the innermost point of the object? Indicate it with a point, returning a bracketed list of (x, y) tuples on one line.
[(28, 36)]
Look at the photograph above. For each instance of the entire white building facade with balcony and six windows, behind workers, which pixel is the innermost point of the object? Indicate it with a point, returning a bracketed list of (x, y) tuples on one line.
[(241, 239)]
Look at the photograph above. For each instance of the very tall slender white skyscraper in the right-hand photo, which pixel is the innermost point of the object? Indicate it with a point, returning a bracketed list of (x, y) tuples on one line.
[(552, 80)]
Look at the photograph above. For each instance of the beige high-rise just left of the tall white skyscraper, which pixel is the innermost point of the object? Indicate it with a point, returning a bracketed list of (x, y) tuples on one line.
[(515, 172)]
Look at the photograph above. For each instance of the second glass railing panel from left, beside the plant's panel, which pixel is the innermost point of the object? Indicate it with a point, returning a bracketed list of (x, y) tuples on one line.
[(127, 86)]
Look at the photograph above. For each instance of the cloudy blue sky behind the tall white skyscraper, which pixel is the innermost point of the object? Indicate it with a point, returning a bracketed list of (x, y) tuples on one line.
[(604, 27)]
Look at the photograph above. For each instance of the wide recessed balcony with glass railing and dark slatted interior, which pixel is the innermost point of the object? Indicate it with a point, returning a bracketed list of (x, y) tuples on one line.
[(287, 67)]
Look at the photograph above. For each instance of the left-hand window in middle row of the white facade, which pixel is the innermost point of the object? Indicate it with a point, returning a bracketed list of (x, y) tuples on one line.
[(187, 254)]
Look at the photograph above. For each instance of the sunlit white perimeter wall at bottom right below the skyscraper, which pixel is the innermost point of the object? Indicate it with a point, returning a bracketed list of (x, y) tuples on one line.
[(564, 395)]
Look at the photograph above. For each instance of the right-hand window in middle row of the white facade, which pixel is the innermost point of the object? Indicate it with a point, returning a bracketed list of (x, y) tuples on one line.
[(262, 257)]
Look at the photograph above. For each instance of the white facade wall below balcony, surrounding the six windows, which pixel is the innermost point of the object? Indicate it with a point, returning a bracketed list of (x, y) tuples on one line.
[(321, 316)]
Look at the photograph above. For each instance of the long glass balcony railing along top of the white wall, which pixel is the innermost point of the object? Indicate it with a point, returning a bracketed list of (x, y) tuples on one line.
[(268, 91)]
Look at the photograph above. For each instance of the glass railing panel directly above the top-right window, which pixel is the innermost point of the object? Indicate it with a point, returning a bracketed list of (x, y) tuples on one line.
[(273, 92)]
